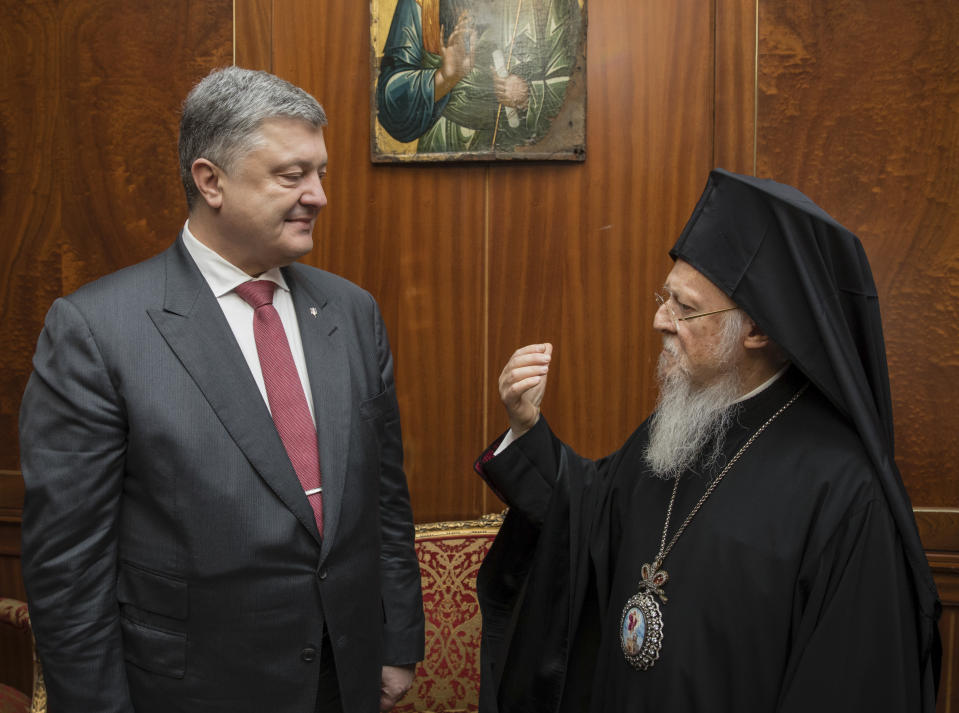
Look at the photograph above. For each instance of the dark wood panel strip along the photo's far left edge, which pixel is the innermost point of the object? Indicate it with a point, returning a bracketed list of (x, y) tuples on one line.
[(29, 200)]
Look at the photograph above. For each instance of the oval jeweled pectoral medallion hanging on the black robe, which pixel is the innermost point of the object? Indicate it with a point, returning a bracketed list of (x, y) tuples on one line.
[(641, 626)]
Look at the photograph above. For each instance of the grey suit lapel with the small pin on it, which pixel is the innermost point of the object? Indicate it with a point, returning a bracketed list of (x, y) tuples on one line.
[(327, 363)]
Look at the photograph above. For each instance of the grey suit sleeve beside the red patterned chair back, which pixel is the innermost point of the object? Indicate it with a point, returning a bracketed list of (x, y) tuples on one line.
[(401, 593)]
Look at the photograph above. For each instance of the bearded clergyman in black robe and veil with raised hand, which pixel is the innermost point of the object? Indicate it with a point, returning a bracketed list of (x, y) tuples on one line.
[(798, 582)]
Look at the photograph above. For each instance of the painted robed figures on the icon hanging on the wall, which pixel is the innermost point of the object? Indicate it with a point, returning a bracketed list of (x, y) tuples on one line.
[(485, 75)]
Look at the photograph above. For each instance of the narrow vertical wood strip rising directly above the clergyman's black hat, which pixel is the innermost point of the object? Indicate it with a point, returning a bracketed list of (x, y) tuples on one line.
[(736, 44)]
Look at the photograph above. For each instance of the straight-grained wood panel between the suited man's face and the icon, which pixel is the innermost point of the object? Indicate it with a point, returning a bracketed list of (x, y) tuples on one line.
[(414, 237)]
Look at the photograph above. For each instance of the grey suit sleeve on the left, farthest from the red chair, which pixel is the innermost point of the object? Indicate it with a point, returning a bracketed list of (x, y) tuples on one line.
[(72, 444)]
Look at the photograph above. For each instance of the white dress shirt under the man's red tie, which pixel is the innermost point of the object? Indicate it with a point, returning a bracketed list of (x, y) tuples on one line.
[(223, 277)]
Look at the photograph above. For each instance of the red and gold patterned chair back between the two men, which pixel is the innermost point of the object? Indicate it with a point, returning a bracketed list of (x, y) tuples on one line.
[(450, 554)]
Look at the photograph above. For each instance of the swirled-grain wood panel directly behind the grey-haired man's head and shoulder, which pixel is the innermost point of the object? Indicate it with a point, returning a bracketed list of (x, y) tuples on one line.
[(119, 113)]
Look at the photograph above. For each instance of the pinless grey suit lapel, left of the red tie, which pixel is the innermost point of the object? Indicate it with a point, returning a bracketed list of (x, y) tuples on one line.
[(194, 327)]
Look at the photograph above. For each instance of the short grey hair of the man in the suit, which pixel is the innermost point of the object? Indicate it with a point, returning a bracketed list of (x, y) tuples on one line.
[(223, 113)]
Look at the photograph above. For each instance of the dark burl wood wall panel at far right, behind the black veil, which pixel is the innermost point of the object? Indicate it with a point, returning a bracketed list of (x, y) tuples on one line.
[(859, 108)]
